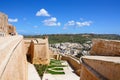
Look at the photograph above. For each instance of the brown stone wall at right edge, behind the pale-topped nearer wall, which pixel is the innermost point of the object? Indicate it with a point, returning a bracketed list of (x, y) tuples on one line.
[(105, 47)]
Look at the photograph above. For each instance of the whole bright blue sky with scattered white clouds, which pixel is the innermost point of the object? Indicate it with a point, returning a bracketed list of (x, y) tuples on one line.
[(63, 16)]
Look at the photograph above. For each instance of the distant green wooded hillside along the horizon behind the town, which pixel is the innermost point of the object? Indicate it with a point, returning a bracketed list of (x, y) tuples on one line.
[(77, 38)]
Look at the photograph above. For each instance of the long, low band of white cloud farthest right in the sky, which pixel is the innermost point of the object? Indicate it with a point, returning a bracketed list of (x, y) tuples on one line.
[(78, 24)]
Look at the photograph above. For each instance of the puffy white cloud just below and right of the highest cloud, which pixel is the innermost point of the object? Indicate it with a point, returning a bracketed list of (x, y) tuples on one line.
[(51, 22)]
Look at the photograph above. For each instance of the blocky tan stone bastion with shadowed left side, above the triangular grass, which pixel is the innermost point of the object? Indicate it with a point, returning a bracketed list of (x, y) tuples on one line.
[(39, 51)]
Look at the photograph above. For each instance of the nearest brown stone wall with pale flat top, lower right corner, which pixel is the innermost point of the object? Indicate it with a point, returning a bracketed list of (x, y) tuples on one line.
[(100, 68)]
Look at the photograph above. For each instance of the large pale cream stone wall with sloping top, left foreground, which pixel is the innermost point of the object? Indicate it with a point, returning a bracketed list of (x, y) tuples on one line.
[(13, 63)]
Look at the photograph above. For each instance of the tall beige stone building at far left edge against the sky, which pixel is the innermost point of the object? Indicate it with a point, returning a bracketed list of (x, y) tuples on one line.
[(3, 24)]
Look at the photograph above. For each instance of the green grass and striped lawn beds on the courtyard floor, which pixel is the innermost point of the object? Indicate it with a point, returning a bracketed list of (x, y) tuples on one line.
[(55, 67)]
